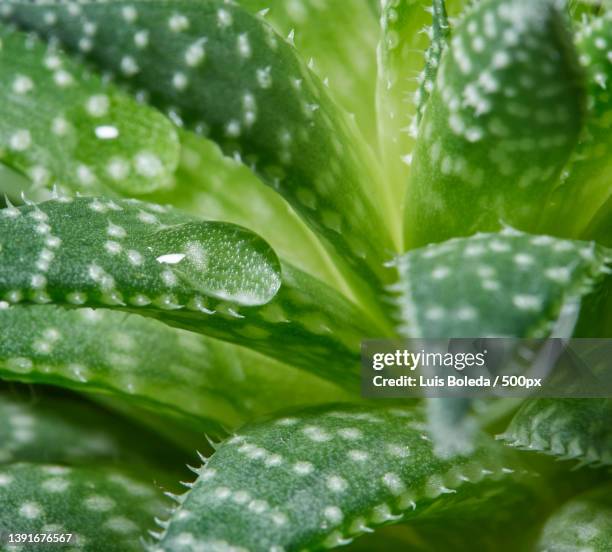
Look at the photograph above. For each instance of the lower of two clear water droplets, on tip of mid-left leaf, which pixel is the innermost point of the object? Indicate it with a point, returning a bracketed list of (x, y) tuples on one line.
[(220, 260)]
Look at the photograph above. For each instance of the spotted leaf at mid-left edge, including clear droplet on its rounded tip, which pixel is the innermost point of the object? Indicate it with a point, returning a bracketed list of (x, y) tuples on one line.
[(90, 251)]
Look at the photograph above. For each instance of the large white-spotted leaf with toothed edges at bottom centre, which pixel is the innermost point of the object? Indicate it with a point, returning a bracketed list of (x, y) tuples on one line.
[(321, 477)]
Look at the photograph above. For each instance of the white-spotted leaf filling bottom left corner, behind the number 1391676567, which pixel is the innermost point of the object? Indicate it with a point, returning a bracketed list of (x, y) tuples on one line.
[(96, 506)]
